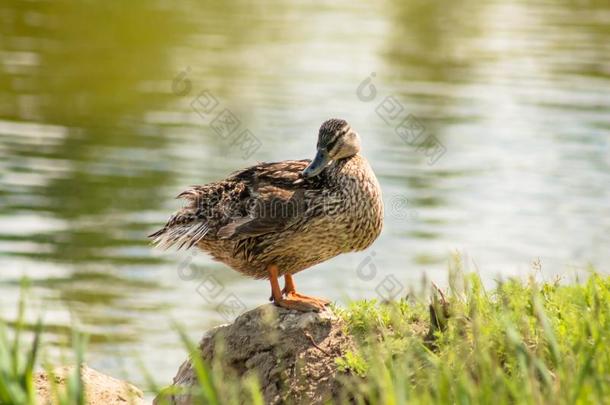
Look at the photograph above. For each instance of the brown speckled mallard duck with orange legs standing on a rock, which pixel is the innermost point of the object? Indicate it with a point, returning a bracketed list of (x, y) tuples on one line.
[(277, 219)]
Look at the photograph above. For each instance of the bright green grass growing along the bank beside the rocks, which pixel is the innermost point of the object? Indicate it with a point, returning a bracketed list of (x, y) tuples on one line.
[(519, 342)]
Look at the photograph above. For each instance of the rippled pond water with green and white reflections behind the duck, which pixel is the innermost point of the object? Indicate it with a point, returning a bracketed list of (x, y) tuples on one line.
[(94, 142)]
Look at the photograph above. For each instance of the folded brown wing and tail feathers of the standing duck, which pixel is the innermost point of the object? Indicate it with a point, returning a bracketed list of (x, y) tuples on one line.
[(260, 199)]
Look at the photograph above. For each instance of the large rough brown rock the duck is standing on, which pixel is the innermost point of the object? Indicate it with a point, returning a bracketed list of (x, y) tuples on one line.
[(292, 353)]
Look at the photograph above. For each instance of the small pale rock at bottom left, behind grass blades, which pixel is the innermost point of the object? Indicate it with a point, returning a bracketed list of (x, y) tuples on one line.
[(100, 389)]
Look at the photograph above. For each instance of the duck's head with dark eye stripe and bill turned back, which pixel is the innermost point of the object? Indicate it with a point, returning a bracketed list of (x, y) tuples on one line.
[(336, 140)]
